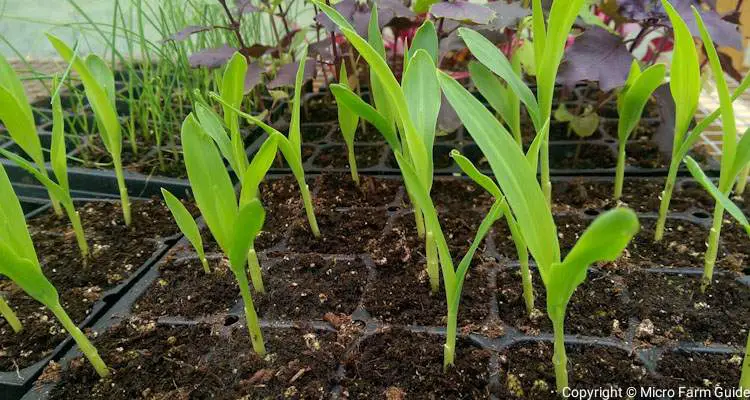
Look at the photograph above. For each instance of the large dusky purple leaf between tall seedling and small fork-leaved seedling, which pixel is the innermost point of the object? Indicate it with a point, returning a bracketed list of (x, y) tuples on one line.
[(596, 56)]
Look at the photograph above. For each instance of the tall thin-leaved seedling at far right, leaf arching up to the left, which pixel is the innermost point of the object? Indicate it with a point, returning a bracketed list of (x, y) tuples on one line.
[(734, 156)]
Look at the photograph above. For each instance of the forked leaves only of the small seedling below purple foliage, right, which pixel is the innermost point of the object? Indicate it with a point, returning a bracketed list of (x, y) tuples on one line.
[(635, 96)]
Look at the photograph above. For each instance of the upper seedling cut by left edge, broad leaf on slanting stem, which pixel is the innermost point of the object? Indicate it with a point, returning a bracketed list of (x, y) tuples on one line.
[(16, 115)]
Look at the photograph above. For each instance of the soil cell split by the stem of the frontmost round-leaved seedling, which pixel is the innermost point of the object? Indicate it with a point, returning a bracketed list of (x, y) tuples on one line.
[(596, 308)]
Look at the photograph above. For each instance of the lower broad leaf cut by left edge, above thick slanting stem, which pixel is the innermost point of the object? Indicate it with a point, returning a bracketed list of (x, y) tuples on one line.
[(13, 229)]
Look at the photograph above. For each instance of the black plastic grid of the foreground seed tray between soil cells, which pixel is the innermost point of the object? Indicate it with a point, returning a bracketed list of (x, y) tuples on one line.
[(493, 332)]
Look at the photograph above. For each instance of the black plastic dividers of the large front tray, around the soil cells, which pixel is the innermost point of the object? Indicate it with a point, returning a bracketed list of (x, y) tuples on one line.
[(494, 333)]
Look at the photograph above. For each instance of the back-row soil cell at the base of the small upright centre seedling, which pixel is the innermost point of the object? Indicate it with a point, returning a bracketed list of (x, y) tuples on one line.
[(339, 190)]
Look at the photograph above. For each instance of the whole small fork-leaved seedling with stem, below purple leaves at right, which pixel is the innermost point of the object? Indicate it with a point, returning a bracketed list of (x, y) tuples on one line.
[(631, 101)]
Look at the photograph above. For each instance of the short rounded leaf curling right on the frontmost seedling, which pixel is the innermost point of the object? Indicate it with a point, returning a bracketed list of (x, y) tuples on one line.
[(603, 240)]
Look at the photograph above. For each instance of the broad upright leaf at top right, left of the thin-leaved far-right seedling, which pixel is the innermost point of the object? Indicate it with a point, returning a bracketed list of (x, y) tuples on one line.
[(685, 76)]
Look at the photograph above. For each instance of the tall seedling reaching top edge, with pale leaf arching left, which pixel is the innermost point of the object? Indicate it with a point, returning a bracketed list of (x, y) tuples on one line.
[(549, 46)]
